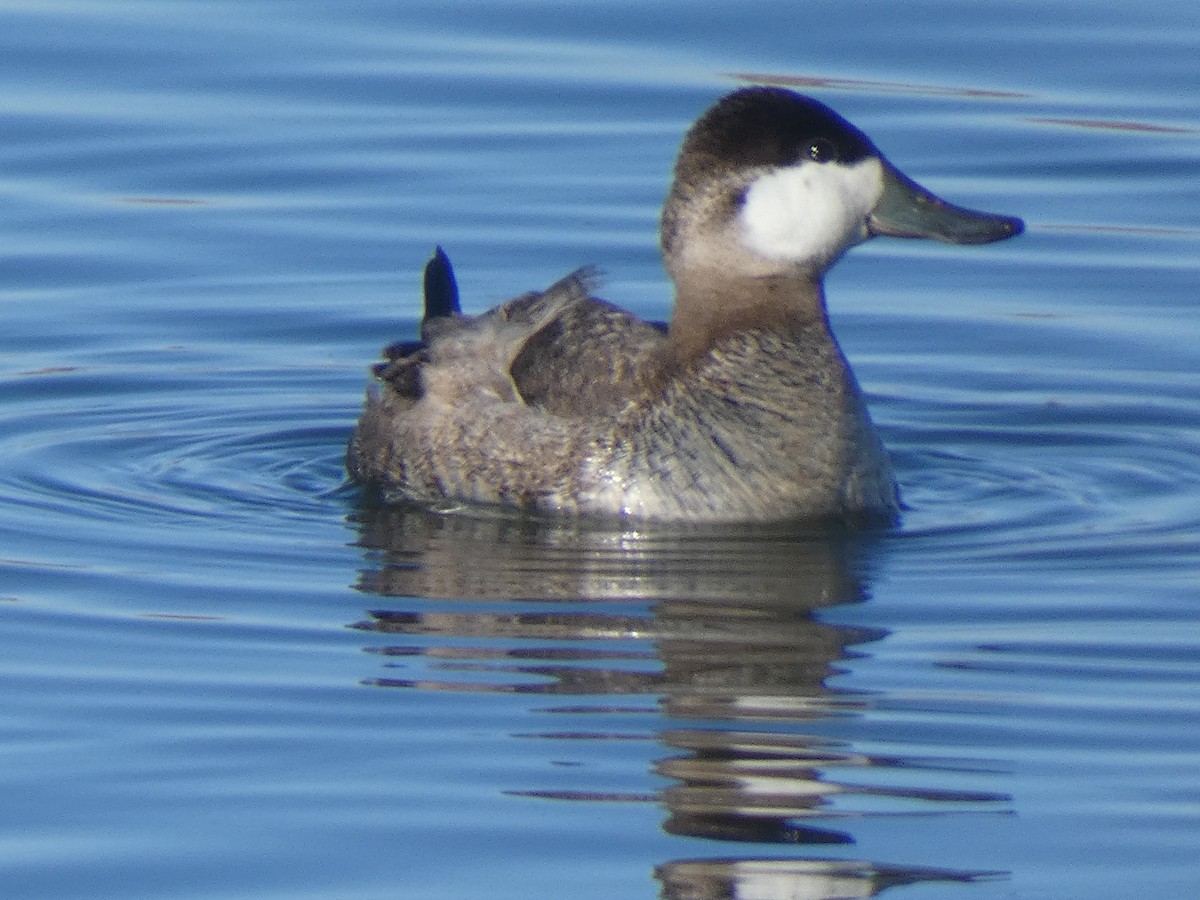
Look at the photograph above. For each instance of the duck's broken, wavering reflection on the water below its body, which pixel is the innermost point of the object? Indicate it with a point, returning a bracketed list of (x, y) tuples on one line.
[(716, 627)]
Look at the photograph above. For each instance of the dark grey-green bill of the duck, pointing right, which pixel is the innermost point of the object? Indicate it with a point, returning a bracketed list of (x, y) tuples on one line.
[(909, 211)]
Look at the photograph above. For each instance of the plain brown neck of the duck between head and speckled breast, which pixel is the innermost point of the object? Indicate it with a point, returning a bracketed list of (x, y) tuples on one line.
[(711, 308)]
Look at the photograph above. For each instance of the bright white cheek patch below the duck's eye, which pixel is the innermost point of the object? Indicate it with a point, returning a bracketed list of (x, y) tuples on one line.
[(812, 212)]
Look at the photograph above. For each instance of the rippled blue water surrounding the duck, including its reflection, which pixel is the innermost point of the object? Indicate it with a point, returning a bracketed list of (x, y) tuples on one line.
[(224, 675)]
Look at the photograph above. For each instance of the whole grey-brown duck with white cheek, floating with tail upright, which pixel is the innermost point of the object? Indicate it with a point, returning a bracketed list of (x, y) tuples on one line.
[(742, 409)]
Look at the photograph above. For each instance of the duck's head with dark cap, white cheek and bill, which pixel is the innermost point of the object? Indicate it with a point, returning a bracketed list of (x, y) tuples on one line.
[(771, 184)]
